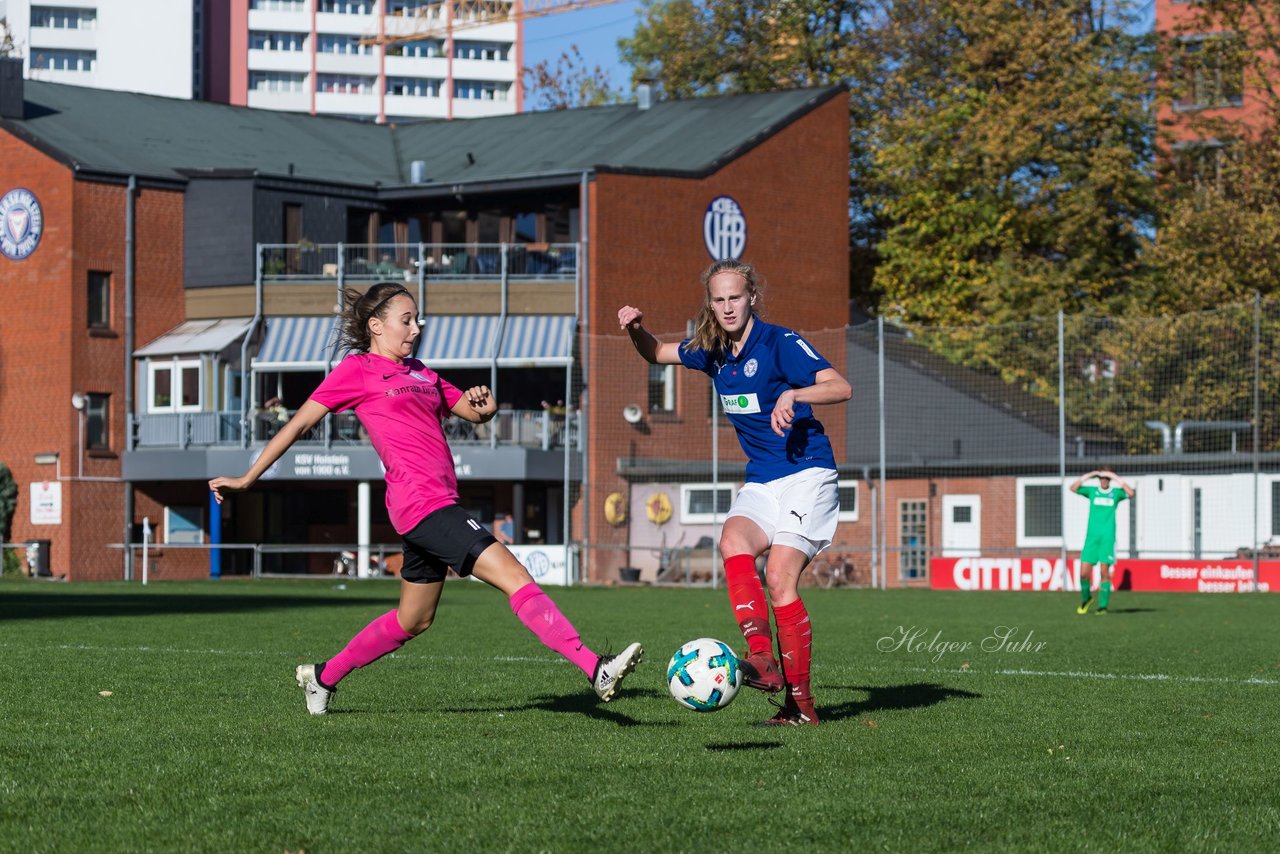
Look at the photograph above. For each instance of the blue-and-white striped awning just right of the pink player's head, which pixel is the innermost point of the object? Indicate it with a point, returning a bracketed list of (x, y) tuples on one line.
[(472, 341)]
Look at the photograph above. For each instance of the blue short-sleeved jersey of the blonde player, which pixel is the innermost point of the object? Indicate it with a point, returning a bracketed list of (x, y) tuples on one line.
[(751, 383)]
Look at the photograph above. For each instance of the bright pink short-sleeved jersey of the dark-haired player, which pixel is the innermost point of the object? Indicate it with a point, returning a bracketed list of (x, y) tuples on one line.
[(401, 407)]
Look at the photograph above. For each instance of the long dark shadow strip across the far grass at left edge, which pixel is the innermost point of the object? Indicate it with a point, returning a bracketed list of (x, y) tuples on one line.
[(48, 606)]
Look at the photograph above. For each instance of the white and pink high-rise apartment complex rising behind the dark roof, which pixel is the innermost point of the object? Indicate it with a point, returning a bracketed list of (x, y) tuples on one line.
[(295, 56)]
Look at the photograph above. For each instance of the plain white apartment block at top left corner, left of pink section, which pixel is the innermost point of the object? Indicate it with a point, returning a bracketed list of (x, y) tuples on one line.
[(130, 45)]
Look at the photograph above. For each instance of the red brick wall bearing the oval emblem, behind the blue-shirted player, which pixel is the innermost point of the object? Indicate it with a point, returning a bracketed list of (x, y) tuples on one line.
[(648, 250)]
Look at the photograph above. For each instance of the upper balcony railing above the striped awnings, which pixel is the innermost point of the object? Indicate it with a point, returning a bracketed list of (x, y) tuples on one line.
[(406, 262)]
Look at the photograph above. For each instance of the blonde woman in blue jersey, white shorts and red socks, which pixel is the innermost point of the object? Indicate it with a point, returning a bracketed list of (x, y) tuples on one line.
[(769, 380)]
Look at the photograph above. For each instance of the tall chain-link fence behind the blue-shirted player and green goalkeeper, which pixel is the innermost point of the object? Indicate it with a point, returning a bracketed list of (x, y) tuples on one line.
[(959, 449)]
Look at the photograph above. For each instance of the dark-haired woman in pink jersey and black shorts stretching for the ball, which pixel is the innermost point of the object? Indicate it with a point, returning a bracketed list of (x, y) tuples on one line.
[(401, 403)]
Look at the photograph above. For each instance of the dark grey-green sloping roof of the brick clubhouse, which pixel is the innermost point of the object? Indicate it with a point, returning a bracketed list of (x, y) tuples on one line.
[(126, 134)]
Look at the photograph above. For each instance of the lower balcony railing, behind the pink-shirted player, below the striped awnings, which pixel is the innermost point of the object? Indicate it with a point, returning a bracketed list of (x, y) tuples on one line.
[(524, 428)]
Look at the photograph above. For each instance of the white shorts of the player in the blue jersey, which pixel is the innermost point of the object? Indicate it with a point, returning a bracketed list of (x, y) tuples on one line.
[(799, 512)]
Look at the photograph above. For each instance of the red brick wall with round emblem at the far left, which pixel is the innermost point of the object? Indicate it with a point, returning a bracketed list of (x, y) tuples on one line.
[(47, 351)]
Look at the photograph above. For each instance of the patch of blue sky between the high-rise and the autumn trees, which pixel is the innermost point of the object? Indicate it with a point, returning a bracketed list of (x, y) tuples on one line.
[(595, 31)]
